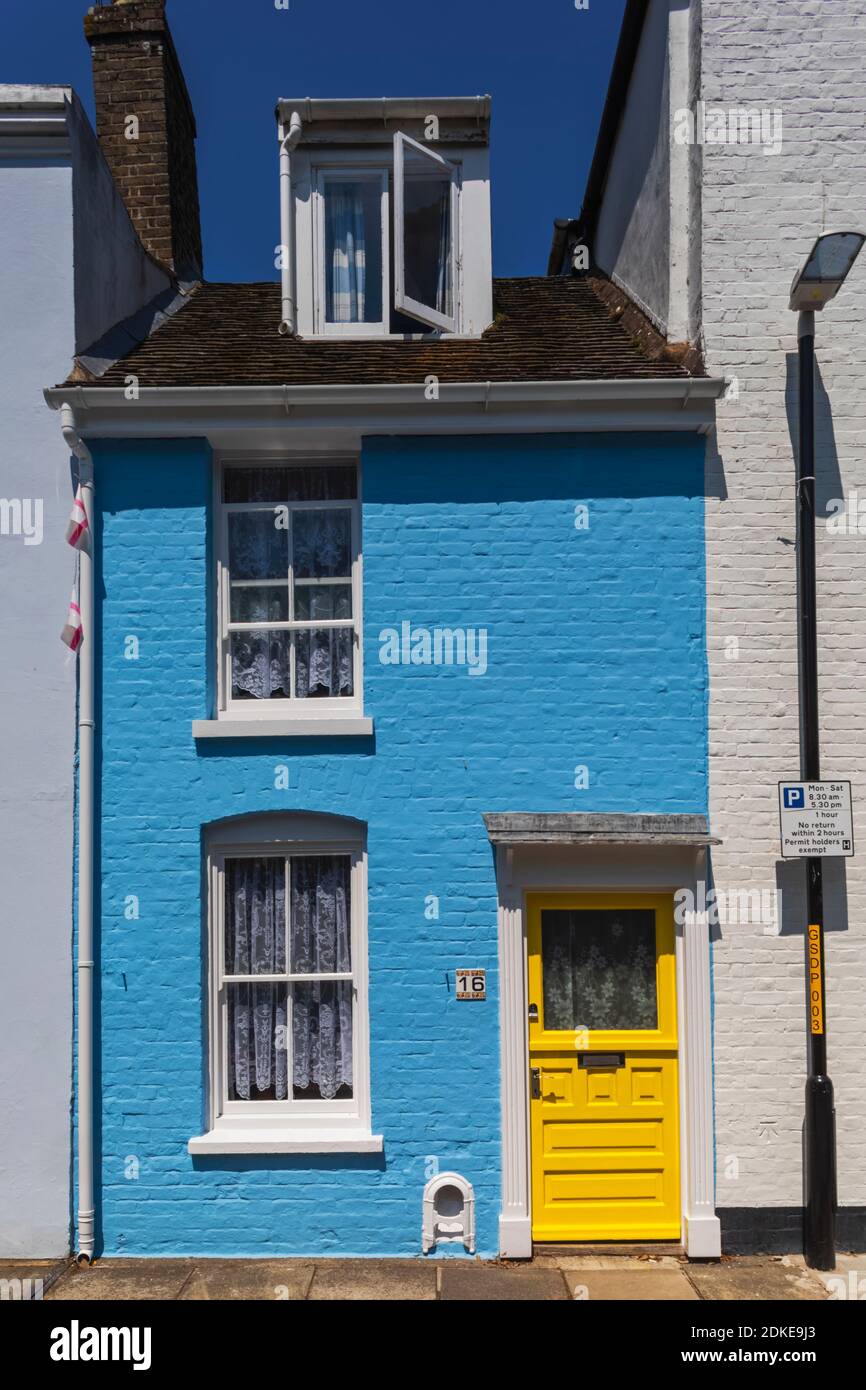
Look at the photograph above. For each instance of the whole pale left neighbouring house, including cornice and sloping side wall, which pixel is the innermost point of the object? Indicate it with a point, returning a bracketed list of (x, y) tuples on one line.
[(72, 268)]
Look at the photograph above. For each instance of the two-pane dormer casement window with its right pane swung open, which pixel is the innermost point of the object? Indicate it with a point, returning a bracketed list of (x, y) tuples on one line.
[(389, 244)]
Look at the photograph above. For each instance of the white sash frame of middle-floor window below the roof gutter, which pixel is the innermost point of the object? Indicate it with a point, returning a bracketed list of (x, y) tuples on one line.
[(291, 710)]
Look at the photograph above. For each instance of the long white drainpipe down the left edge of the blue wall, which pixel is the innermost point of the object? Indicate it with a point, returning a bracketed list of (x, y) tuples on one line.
[(87, 1213)]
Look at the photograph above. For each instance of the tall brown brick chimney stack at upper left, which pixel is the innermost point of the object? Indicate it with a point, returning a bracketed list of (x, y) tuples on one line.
[(147, 129)]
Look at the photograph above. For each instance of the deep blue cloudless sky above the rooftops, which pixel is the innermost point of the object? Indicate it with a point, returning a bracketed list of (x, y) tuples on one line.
[(544, 62)]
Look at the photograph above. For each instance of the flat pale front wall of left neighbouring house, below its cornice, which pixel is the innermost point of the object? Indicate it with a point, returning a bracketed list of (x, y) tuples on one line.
[(38, 715)]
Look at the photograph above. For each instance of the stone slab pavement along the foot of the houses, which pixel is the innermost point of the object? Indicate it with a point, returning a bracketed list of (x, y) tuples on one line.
[(547, 1278)]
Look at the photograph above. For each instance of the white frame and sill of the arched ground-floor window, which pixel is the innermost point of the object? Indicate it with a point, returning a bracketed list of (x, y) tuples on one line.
[(291, 1125)]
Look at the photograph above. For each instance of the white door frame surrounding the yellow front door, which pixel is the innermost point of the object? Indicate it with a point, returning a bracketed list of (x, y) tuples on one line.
[(615, 868)]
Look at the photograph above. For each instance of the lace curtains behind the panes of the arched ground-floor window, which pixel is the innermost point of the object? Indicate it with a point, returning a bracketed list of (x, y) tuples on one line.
[(319, 943)]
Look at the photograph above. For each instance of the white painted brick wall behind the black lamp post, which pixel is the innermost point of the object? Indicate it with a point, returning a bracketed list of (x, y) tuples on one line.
[(760, 216)]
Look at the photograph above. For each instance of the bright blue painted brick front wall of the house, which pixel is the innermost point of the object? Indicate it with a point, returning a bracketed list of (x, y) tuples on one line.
[(596, 657)]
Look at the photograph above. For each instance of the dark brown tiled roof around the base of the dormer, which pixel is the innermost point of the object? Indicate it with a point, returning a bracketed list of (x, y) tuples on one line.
[(546, 330)]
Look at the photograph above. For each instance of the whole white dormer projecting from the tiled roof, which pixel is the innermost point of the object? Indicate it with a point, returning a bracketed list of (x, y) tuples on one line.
[(389, 229)]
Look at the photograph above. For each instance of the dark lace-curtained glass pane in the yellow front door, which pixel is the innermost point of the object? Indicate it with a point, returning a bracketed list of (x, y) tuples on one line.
[(600, 970)]
